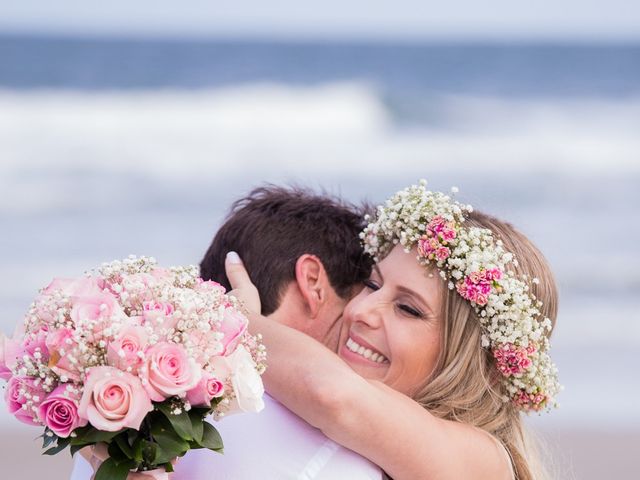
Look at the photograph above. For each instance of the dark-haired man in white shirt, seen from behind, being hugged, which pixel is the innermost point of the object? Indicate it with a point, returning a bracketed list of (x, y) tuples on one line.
[(303, 254)]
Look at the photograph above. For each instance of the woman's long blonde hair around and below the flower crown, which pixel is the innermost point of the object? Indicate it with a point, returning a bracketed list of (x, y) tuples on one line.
[(464, 385)]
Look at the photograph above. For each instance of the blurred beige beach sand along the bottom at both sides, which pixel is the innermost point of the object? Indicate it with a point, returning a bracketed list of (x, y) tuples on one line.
[(577, 454)]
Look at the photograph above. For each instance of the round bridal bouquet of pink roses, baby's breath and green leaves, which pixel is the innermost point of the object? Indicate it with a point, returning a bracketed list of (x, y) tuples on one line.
[(131, 359)]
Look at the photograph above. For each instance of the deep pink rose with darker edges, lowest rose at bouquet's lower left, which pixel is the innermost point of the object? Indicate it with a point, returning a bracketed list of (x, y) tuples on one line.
[(59, 411)]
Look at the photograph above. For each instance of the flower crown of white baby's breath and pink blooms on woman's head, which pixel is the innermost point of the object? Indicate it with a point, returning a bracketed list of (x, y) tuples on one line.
[(477, 266)]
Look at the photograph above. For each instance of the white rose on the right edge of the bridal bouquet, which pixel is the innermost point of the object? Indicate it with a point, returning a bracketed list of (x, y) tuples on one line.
[(247, 383)]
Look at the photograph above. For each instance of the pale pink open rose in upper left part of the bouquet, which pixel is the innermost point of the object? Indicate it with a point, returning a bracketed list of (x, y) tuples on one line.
[(97, 311)]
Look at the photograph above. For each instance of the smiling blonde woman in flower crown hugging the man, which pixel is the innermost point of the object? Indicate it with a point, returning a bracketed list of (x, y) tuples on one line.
[(439, 354)]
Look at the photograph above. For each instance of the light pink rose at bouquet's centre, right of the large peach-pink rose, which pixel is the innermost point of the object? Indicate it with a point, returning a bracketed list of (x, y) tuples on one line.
[(168, 371)]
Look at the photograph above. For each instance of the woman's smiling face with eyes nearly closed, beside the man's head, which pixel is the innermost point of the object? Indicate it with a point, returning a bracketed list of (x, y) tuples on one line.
[(391, 330)]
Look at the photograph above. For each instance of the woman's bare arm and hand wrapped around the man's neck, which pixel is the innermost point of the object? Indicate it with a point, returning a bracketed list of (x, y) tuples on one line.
[(387, 427)]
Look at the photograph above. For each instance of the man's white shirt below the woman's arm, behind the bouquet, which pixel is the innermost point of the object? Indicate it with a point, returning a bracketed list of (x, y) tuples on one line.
[(273, 444)]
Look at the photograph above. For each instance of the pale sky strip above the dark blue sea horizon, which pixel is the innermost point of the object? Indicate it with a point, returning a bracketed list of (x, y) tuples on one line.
[(599, 20)]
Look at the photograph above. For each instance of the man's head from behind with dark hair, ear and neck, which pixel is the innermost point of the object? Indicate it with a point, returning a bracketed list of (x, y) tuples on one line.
[(301, 250)]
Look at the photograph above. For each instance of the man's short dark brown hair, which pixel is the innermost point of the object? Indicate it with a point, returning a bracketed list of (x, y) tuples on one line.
[(273, 226)]
